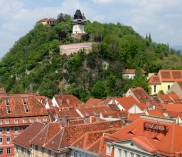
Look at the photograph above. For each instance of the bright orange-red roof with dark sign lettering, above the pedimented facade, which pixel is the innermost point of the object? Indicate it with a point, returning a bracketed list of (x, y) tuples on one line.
[(166, 144)]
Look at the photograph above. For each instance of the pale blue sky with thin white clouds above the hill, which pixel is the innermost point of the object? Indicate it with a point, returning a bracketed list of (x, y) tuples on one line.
[(161, 18)]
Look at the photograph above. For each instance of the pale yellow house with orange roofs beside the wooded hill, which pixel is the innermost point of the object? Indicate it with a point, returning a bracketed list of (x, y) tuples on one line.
[(164, 80)]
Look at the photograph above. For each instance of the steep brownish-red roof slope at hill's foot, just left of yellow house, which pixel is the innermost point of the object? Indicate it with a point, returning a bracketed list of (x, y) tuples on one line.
[(140, 94)]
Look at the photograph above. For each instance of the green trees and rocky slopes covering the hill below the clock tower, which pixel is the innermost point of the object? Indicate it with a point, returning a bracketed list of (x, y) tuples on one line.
[(34, 63)]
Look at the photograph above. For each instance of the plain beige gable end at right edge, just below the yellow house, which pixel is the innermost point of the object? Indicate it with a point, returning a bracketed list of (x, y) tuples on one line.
[(177, 88)]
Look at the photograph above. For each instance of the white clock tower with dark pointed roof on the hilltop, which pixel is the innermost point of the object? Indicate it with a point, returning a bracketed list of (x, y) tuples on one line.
[(78, 22)]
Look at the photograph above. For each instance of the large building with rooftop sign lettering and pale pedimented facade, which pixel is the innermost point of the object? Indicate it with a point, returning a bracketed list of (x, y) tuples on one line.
[(147, 136)]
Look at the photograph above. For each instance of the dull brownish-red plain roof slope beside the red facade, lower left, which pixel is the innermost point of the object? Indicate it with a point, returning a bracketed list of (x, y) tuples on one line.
[(27, 135)]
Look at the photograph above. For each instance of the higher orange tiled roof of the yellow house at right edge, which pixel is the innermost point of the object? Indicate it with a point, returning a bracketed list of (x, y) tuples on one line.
[(170, 75)]
